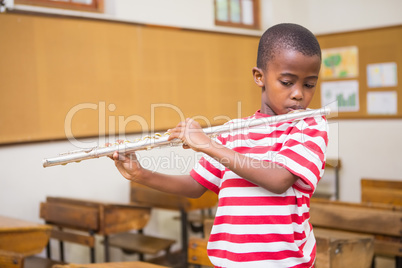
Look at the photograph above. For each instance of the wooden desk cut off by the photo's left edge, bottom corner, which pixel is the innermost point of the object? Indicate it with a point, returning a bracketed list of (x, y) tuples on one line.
[(21, 239)]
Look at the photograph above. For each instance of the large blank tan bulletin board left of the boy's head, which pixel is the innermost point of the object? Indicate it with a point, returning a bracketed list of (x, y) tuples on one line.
[(65, 77)]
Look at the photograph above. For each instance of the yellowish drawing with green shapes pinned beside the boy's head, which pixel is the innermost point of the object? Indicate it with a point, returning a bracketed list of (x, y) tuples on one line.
[(340, 62)]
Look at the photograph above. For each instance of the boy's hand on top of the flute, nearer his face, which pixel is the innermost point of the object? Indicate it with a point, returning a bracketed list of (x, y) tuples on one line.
[(192, 135)]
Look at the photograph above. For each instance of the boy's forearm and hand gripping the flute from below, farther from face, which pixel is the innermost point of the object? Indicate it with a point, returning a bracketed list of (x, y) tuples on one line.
[(184, 185)]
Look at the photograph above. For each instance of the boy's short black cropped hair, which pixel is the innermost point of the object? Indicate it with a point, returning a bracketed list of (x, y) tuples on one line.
[(286, 36)]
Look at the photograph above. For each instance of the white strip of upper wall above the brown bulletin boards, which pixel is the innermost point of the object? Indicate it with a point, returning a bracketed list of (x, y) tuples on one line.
[(321, 17)]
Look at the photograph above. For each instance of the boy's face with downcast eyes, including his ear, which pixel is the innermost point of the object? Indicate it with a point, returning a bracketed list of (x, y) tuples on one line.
[(288, 82)]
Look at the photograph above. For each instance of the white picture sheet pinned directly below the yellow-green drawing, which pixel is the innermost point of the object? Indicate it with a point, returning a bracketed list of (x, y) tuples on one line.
[(345, 93)]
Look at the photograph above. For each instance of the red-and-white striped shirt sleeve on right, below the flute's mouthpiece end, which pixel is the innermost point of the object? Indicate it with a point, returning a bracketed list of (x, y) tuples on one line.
[(303, 152)]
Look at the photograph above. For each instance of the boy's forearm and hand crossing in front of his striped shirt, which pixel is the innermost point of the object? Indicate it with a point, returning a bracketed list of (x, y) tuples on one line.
[(268, 175)]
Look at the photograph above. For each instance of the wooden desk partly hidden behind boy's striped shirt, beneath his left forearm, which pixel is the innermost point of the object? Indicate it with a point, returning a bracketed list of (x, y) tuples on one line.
[(142, 195)]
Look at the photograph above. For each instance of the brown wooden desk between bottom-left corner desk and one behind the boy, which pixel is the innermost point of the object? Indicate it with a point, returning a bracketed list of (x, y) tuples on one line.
[(98, 217)]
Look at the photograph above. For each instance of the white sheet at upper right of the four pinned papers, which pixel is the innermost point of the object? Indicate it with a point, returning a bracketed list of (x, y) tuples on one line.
[(382, 75)]
